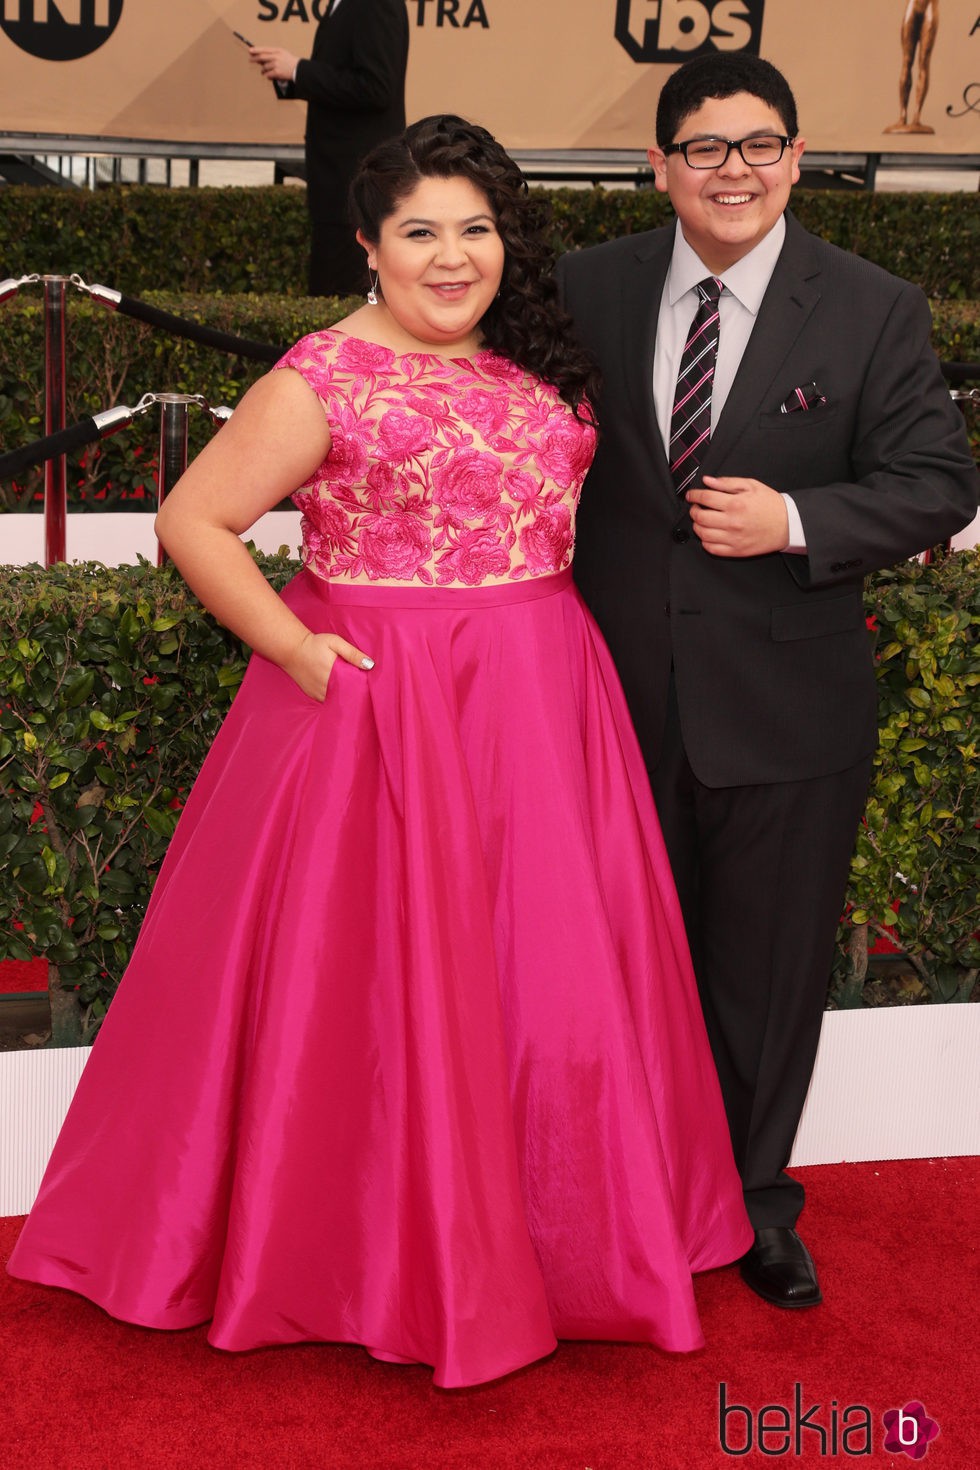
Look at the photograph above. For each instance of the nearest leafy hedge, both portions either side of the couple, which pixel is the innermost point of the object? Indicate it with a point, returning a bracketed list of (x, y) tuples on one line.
[(117, 681)]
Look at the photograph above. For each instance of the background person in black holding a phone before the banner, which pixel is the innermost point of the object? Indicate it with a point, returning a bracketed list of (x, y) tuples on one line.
[(355, 87)]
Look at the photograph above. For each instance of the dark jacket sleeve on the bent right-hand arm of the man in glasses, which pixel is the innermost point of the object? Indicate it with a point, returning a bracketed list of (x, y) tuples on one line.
[(915, 483)]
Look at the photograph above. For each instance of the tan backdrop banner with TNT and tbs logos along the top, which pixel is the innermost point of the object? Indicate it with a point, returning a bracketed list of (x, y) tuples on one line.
[(871, 76)]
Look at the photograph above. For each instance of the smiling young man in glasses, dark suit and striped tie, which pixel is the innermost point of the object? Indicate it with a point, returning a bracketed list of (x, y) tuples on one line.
[(746, 483)]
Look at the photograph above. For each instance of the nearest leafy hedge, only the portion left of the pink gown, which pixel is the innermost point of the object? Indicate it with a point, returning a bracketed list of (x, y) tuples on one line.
[(115, 684)]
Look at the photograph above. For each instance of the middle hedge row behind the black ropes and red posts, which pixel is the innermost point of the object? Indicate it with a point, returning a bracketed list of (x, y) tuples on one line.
[(115, 359)]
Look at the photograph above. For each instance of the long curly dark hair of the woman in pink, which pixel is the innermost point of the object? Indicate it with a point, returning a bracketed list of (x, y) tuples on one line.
[(525, 323)]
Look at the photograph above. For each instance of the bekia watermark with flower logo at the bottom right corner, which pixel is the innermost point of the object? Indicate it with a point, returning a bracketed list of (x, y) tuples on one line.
[(818, 1430)]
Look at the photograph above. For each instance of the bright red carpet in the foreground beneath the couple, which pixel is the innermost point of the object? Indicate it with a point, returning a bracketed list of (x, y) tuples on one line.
[(897, 1246)]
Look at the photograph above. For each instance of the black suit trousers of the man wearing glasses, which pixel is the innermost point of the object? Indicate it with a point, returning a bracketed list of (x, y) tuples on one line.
[(762, 874)]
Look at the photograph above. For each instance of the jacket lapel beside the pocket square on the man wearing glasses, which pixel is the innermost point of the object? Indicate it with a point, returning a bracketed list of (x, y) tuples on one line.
[(790, 299)]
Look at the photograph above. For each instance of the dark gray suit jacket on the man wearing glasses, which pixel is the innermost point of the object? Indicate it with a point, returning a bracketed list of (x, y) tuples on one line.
[(772, 656)]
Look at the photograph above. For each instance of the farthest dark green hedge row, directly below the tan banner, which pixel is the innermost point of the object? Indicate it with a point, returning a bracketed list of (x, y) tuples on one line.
[(234, 240)]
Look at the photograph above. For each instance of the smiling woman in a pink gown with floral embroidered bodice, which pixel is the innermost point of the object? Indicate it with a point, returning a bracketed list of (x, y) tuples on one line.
[(409, 1053)]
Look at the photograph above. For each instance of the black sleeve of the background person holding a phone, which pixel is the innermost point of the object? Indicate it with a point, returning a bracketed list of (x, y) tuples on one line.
[(374, 74)]
